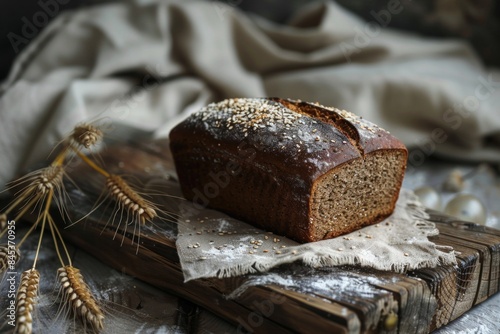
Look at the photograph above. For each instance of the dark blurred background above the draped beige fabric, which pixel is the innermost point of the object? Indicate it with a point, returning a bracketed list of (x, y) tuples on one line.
[(477, 21)]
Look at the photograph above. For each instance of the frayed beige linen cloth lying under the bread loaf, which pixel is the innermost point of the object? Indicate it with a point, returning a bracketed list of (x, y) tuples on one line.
[(212, 244)]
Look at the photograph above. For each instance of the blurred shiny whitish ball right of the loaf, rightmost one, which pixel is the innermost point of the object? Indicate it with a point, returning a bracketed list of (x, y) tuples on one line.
[(468, 208)]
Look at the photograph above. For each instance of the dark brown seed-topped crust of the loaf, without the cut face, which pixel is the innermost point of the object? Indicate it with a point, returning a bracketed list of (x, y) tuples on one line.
[(277, 164)]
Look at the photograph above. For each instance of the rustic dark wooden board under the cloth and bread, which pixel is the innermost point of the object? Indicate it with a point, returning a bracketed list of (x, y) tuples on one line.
[(335, 300)]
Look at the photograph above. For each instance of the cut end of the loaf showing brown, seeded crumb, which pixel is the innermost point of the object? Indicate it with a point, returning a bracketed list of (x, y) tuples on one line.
[(357, 193)]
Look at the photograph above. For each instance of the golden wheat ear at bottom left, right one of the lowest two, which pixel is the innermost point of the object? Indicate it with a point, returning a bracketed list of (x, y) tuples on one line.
[(77, 295)]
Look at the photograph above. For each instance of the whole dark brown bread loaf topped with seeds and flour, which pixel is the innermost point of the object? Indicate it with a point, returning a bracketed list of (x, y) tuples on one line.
[(298, 169)]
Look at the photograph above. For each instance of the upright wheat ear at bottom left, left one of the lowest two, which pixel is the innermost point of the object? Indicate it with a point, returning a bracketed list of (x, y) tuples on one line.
[(26, 300)]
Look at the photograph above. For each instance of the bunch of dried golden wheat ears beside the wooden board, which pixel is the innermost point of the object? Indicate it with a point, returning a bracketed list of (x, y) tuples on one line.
[(35, 192)]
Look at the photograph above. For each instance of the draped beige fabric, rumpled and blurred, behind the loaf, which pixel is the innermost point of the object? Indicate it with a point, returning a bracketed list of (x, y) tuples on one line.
[(145, 65)]
